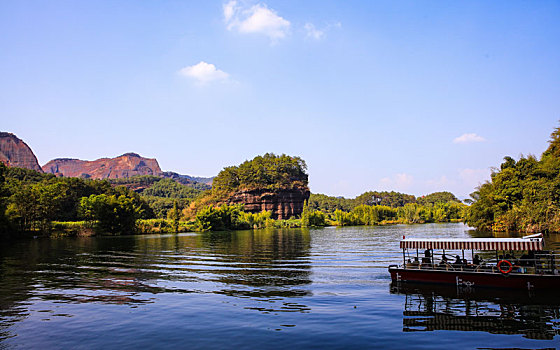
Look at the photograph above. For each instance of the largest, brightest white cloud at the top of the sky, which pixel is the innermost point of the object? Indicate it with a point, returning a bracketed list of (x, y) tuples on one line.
[(257, 19)]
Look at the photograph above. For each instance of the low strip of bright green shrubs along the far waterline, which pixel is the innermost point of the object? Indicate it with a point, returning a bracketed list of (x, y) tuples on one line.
[(232, 217)]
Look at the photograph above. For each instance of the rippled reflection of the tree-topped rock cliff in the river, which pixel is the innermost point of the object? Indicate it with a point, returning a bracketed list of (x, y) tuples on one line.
[(263, 264)]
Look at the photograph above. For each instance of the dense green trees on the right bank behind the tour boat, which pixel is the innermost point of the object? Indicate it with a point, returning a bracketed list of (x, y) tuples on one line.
[(522, 195)]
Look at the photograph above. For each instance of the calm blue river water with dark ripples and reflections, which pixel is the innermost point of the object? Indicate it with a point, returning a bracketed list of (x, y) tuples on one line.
[(269, 289)]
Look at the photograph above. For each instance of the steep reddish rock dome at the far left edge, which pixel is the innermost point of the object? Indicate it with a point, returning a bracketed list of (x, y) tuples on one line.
[(16, 153)]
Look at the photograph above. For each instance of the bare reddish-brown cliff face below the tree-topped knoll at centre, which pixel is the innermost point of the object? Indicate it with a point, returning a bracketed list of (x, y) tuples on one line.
[(283, 204)]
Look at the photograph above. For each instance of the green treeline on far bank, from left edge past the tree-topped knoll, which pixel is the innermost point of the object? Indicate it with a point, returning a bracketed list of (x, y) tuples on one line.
[(37, 203)]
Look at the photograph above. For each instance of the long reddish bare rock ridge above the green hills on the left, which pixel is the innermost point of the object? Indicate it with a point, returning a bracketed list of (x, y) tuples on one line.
[(127, 165)]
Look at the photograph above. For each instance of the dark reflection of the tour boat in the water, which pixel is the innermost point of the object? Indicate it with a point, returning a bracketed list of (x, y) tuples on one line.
[(430, 308)]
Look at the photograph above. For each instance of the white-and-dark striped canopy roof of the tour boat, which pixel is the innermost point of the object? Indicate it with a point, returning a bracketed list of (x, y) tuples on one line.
[(533, 242)]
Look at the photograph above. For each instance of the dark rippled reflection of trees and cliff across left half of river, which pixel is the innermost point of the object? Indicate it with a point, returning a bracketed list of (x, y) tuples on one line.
[(261, 265)]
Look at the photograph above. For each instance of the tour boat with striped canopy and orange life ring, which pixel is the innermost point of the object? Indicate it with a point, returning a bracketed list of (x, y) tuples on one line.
[(493, 263)]
